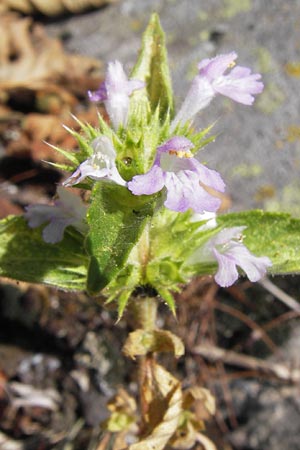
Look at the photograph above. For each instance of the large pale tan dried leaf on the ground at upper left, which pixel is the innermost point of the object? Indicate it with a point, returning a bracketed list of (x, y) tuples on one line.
[(31, 60)]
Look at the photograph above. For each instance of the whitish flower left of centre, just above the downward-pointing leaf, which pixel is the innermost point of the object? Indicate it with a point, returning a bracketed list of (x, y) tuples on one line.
[(101, 165)]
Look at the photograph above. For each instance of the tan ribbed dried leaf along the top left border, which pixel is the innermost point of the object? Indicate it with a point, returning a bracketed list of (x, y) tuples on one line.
[(51, 7)]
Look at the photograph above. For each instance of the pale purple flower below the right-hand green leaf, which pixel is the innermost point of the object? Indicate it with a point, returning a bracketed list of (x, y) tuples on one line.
[(228, 250)]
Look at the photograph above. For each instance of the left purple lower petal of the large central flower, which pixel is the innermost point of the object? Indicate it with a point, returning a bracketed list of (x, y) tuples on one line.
[(148, 183)]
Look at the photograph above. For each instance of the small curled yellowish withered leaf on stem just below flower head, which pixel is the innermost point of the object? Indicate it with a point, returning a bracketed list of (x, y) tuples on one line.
[(141, 342)]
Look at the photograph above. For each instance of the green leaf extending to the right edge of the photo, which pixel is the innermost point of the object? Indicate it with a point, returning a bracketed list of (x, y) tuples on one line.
[(275, 235)]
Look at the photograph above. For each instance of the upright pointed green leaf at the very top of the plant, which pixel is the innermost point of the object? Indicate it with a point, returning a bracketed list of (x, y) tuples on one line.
[(152, 68)]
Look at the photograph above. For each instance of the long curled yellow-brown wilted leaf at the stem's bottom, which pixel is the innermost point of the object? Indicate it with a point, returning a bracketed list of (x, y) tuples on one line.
[(164, 397)]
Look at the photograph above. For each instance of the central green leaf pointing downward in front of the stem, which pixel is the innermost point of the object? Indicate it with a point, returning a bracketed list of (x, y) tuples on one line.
[(116, 219)]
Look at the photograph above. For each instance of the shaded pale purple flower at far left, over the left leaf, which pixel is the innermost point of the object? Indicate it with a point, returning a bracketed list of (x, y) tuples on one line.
[(67, 210)]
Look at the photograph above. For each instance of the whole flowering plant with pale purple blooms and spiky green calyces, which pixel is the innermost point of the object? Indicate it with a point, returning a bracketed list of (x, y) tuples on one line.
[(151, 222)]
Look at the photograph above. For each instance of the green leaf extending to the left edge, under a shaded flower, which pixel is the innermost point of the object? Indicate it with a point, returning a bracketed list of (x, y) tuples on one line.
[(25, 256)]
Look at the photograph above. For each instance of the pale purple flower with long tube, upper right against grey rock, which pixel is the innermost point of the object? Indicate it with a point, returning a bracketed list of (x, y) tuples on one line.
[(239, 84)]
